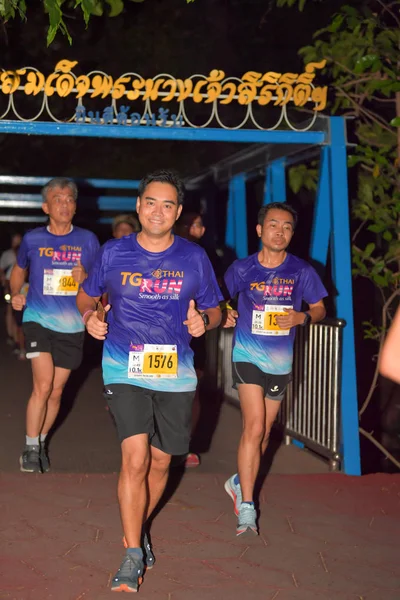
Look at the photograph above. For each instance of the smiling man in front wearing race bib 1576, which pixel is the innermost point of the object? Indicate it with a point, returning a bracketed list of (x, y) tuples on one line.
[(162, 291)]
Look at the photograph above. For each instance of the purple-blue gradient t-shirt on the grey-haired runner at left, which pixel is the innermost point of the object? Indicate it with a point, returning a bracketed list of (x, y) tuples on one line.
[(51, 299)]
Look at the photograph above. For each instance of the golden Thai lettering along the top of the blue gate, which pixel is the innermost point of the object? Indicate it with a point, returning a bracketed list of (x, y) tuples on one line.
[(252, 87)]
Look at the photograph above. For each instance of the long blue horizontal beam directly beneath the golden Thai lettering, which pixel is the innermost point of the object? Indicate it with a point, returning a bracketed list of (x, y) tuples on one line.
[(163, 133)]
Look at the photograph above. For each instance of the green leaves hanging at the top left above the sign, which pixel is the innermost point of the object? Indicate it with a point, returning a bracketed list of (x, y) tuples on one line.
[(58, 9)]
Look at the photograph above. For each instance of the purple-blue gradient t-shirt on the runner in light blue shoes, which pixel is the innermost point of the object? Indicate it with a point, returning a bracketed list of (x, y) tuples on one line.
[(263, 294)]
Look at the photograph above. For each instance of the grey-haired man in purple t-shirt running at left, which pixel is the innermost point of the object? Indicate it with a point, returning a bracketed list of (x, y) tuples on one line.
[(58, 257)]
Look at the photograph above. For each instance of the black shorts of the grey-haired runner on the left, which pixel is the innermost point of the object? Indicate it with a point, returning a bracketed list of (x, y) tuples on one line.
[(66, 349)]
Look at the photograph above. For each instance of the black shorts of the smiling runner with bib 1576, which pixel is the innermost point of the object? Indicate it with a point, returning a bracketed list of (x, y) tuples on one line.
[(165, 416)]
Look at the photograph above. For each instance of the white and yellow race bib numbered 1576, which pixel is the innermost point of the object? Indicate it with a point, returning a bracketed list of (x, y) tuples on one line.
[(152, 360)]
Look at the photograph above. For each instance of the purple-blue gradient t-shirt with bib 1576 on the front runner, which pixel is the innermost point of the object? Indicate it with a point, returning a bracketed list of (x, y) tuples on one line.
[(147, 343)]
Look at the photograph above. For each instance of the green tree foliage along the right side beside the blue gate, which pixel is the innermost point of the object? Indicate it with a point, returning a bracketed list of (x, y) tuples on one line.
[(361, 45)]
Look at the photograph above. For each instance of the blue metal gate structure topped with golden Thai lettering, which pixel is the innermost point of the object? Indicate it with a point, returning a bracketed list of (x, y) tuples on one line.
[(273, 149)]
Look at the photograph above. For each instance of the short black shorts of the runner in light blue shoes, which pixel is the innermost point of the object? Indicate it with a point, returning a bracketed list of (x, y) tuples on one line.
[(274, 386)]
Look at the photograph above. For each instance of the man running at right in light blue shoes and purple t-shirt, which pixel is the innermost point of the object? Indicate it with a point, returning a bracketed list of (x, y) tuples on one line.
[(271, 286)]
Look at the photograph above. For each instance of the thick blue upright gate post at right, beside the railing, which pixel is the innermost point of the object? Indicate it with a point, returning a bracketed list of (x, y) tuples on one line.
[(341, 265)]
